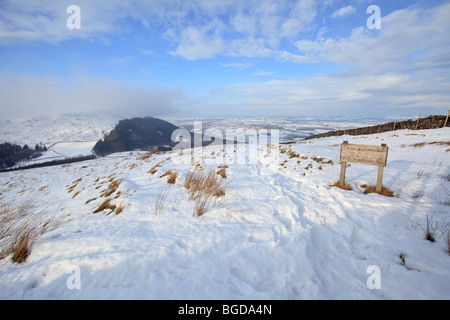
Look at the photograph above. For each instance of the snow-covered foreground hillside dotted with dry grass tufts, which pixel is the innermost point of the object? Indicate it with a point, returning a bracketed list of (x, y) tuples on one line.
[(280, 231)]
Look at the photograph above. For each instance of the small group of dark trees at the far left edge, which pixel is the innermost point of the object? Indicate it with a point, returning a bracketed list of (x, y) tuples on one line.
[(10, 154)]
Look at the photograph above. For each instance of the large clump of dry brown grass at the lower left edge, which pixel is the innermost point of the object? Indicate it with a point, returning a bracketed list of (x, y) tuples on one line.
[(21, 226)]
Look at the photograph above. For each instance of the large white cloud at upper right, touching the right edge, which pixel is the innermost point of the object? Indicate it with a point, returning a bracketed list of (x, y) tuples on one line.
[(410, 39)]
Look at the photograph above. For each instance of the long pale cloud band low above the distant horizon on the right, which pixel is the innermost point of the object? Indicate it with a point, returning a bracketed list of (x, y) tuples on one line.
[(332, 95)]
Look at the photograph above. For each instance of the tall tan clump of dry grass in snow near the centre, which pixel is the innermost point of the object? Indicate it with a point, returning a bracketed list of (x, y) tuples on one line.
[(204, 189)]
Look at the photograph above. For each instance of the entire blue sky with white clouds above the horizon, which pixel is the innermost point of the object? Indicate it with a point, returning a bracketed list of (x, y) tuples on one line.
[(225, 58)]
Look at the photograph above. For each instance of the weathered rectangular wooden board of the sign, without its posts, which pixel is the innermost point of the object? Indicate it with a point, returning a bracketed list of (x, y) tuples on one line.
[(358, 153)]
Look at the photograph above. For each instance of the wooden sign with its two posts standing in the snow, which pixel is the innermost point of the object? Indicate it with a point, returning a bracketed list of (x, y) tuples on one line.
[(371, 155)]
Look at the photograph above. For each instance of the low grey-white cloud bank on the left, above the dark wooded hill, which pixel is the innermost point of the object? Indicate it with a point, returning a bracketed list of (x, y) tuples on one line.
[(30, 96)]
